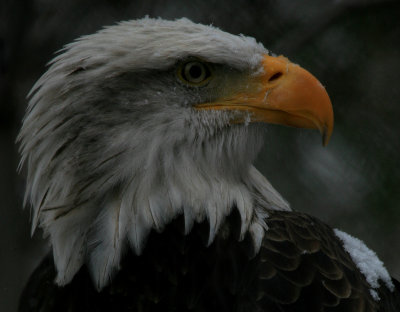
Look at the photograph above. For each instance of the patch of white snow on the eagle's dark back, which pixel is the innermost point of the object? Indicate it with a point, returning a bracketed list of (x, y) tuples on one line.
[(367, 261)]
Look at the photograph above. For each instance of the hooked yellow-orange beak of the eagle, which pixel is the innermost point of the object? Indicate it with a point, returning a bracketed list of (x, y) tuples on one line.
[(284, 93)]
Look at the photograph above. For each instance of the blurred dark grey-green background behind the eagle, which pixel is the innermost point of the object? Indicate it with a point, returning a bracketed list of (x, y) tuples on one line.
[(352, 46)]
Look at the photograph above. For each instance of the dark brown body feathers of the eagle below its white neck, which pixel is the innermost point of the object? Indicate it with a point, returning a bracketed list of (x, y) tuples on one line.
[(301, 267)]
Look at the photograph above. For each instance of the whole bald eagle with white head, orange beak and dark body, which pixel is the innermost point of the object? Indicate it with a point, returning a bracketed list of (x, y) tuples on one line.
[(139, 142)]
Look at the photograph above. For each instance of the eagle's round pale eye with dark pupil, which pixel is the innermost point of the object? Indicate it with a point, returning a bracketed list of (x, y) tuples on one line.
[(194, 73)]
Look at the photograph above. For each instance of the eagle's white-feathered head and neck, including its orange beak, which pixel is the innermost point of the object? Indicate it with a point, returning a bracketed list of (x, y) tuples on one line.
[(151, 119)]
